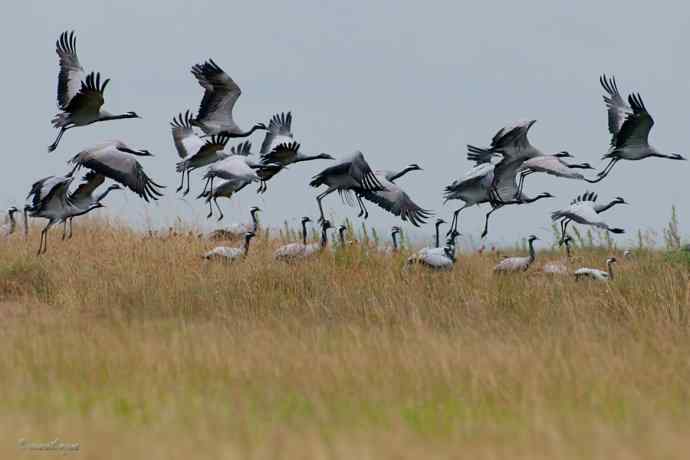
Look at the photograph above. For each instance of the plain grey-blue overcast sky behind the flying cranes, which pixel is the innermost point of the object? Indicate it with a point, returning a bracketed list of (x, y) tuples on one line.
[(405, 82)]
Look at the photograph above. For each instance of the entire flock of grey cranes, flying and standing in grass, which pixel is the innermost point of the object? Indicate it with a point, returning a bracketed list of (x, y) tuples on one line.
[(201, 140)]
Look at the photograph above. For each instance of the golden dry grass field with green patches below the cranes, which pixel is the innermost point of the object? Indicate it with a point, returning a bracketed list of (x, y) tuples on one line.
[(136, 348)]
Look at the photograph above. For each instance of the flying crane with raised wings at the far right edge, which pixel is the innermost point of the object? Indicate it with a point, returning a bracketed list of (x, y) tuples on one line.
[(629, 125)]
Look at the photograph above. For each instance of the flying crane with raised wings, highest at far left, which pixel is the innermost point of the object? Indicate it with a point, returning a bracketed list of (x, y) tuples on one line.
[(80, 100)]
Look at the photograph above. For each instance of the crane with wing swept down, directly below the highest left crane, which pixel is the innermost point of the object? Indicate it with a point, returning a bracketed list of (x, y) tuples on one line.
[(117, 161)]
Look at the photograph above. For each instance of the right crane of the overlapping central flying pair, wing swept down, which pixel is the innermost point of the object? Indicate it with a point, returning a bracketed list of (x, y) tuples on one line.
[(393, 198)]
